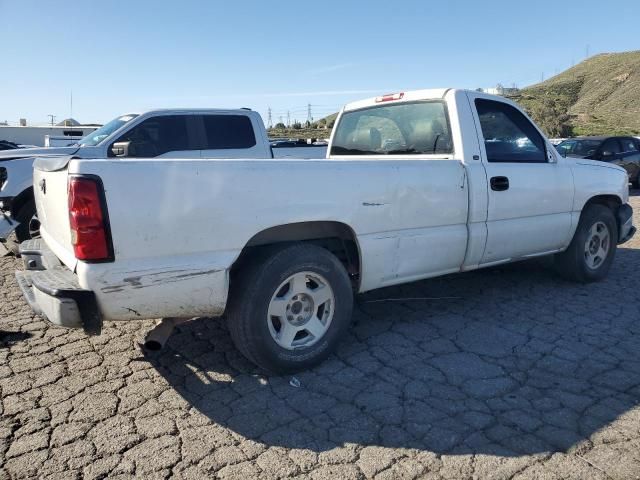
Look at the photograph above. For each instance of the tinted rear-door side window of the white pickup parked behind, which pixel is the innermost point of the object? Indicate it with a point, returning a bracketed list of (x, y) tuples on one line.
[(228, 131)]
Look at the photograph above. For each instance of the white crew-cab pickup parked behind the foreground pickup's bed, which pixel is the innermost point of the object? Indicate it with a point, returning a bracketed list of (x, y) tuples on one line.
[(159, 133)]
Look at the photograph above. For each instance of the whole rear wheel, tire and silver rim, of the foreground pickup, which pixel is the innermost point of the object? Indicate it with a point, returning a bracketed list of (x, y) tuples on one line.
[(290, 307)]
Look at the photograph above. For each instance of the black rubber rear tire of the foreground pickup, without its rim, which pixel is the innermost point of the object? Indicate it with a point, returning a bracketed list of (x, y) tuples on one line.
[(252, 290)]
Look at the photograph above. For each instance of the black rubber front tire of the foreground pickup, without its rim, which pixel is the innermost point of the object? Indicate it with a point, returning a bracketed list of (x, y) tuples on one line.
[(572, 263)]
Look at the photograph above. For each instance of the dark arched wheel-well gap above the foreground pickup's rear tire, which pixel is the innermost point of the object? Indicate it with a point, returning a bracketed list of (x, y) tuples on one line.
[(336, 237)]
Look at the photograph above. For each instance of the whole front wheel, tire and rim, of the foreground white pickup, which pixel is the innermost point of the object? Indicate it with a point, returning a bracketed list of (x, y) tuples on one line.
[(591, 252)]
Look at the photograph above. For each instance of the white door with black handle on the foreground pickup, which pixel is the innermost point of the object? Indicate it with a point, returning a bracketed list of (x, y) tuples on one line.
[(530, 189)]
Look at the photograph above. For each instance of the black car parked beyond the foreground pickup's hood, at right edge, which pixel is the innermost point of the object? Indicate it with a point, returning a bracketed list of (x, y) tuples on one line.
[(623, 151)]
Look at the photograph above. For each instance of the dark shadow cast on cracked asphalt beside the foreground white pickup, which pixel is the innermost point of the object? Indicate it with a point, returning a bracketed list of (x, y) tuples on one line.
[(520, 362)]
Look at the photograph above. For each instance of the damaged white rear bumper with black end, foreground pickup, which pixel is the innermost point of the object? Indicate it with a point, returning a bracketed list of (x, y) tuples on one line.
[(53, 291)]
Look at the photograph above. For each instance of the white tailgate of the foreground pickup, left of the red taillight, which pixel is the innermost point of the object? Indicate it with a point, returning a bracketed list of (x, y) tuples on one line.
[(50, 177)]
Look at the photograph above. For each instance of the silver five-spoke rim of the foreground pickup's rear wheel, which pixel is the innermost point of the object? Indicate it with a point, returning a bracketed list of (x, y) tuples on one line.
[(301, 310)]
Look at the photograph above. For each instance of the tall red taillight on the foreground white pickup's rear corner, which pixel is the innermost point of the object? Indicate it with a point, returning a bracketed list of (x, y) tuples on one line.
[(89, 234)]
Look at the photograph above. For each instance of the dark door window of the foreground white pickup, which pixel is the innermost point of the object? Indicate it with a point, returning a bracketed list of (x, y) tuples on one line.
[(508, 135)]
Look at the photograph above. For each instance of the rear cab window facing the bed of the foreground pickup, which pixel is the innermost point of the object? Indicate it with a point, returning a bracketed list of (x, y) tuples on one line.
[(410, 128)]
